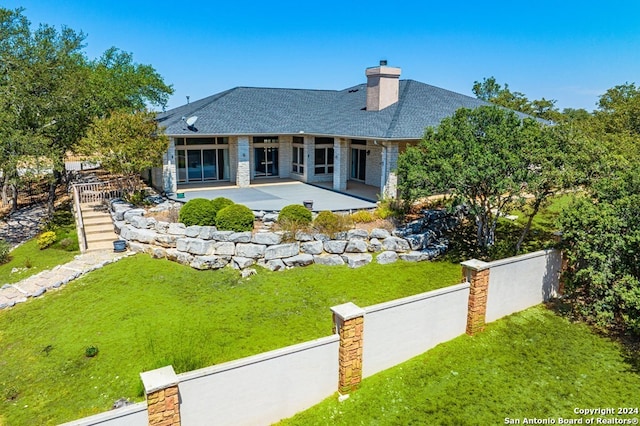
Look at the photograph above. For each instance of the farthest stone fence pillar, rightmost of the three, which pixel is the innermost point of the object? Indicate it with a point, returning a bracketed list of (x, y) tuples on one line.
[(476, 273)]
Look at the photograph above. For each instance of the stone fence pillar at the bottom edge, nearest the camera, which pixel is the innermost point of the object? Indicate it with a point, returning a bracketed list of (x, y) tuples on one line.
[(163, 400)]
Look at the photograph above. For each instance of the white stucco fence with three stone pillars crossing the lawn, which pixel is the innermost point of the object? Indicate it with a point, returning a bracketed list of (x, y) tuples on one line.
[(265, 388)]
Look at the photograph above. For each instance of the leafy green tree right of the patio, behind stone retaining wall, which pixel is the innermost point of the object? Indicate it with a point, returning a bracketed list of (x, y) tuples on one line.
[(476, 155)]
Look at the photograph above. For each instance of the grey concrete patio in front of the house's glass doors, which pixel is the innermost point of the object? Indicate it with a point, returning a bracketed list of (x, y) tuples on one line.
[(274, 195)]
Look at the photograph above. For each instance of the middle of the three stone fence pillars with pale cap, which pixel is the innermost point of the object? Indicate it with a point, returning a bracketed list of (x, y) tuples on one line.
[(348, 320)]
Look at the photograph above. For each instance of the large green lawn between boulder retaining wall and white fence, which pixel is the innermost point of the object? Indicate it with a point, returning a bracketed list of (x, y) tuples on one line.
[(144, 313)]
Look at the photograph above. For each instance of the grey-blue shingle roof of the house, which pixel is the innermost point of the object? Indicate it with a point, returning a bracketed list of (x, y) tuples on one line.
[(269, 111)]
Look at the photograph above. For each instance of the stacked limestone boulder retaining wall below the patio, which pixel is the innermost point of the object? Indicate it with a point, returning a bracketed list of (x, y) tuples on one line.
[(205, 247)]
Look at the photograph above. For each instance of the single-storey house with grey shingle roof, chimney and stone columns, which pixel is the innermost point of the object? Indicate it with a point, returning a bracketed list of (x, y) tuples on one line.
[(326, 137)]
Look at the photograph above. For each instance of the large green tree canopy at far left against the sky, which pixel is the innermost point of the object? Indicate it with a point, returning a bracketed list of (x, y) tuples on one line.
[(50, 92)]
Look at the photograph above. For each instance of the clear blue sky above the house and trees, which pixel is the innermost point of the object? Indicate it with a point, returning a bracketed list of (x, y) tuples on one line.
[(570, 51)]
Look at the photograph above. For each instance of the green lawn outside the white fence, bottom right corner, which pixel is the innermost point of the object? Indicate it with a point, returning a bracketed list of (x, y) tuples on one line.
[(533, 364)]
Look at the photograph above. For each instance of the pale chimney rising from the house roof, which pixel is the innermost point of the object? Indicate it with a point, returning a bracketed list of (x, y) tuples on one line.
[(383, 84)]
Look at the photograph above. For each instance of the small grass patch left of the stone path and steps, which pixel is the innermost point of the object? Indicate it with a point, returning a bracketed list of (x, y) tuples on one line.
[(28, 259)]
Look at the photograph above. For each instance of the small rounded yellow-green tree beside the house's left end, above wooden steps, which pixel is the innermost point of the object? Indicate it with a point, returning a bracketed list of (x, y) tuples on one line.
[(125, 143)]
